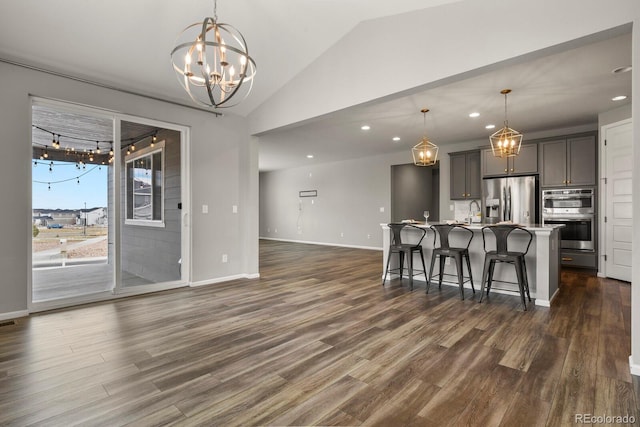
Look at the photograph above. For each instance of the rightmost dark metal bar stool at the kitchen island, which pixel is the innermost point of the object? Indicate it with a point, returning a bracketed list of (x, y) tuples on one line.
[(502, 254)]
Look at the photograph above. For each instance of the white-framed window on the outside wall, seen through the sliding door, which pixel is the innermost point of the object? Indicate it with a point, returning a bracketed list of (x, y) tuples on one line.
[(145, 186)]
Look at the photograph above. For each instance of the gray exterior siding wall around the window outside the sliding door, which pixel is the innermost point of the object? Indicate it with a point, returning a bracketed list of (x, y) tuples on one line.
[(153, 252)]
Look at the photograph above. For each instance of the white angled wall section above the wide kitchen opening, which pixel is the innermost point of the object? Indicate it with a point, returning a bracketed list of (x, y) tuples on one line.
[(400, 54)]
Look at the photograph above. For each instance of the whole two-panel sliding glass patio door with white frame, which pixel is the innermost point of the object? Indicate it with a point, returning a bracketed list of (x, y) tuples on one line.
[(107, 199)]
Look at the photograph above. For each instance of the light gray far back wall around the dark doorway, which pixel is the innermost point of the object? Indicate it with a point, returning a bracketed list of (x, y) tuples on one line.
[(350, 195)]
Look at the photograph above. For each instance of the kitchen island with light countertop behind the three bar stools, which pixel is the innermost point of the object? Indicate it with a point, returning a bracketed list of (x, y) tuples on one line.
[(543, 259)]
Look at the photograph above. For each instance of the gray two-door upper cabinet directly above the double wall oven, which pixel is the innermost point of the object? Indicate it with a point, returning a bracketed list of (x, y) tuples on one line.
[(569, 161)]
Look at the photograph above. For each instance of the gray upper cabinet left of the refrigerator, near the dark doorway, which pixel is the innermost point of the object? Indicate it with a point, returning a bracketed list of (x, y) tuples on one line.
[(465, 175)]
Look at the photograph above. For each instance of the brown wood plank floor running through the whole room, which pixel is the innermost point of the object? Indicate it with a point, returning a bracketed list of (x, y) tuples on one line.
[(318, 341)]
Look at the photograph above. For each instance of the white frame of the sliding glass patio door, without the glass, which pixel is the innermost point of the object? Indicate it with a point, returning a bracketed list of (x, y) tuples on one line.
[(117, 290)]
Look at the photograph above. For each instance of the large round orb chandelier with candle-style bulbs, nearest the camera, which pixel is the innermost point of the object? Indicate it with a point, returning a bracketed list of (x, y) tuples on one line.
[(212, 63)]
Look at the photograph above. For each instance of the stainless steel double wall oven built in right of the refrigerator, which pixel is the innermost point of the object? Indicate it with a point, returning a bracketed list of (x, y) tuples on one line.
[(575, 209)]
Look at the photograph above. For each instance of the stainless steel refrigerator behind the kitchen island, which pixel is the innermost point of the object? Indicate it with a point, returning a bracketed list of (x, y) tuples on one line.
[(513, 199)]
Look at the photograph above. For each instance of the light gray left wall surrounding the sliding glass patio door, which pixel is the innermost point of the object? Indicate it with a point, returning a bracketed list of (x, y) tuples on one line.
[(223, 173)]
